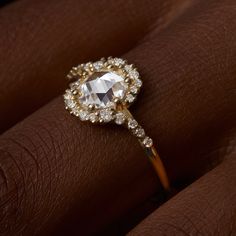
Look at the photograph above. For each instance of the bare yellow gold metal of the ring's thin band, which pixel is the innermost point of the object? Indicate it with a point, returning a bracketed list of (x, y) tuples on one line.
[(154, 158)]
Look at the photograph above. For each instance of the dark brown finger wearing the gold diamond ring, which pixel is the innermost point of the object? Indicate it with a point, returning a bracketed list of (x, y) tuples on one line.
[(63, 169)]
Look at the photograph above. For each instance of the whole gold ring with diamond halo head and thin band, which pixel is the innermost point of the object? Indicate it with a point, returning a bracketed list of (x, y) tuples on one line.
[(101, 92)]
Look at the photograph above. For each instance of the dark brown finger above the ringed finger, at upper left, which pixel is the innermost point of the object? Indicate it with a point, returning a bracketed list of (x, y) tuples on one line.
[(41, 40)]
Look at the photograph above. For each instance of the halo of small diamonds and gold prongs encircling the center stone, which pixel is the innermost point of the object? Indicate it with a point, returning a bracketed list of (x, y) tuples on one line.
[(82, 73)]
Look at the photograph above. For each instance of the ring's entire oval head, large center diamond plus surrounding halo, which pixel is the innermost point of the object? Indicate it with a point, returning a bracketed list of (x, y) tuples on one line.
[(123, 79)]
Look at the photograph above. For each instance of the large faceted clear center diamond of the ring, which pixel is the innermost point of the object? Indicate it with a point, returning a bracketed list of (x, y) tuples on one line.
[(100, 89)]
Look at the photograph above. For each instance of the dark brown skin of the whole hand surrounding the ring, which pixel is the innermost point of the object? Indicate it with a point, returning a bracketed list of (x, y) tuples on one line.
[(61, 176)]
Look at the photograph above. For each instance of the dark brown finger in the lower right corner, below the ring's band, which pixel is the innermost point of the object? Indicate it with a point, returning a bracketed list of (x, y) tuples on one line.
[(207, 207)]
